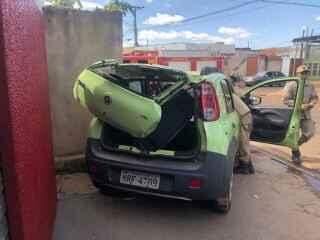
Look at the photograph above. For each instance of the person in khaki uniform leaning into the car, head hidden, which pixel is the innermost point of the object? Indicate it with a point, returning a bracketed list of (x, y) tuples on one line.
[(245, 165)]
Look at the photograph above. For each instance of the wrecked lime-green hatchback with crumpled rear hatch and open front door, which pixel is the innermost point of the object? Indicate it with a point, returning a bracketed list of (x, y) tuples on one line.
[(164, 132)]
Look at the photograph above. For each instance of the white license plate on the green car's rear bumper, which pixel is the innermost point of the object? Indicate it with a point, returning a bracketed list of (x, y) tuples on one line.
[(140, 179)]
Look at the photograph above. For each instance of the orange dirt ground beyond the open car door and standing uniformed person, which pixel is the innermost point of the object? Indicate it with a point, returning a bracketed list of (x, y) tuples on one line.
[(310, 150)]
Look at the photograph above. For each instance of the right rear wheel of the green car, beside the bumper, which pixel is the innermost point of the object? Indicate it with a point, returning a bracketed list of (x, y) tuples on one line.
[(223, 203)]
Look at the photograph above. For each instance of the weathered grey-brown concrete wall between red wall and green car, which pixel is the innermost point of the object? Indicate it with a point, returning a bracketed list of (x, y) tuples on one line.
[(76, 39)]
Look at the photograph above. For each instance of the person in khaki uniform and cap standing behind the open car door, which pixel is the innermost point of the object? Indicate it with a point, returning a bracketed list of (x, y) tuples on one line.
[(310, 99)]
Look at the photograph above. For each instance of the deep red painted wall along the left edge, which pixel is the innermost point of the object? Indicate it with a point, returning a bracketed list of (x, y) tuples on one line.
[(25, 130)]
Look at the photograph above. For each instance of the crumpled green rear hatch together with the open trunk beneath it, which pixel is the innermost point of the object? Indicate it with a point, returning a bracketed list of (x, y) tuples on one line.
[(145, 108)]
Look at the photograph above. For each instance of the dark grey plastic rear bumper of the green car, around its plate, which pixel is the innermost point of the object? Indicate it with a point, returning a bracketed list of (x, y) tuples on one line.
[(212, 169)]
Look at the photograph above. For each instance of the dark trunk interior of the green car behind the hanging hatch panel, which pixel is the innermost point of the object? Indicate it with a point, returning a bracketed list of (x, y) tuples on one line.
[(177, 133)]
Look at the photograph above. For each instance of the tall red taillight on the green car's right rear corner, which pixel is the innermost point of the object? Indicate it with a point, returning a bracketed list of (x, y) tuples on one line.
[(209, 104)]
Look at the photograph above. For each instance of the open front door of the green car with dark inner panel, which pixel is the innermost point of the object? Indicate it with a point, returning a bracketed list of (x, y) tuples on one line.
[(276, 119)]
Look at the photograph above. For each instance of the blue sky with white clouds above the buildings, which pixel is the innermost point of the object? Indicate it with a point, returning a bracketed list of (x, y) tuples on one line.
[(258, 25)]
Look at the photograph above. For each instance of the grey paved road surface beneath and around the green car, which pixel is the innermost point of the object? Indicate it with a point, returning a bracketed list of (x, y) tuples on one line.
[(274, 204)]
